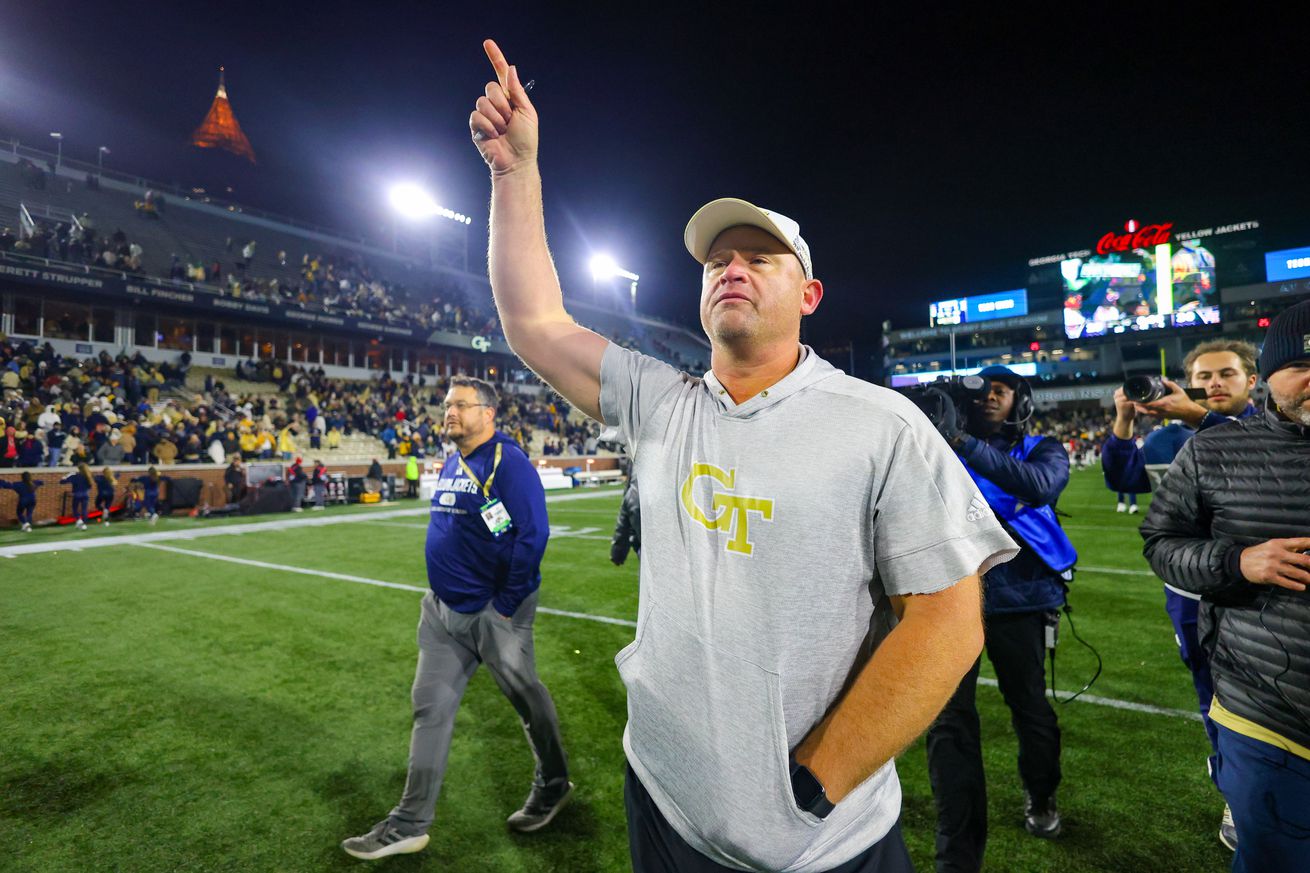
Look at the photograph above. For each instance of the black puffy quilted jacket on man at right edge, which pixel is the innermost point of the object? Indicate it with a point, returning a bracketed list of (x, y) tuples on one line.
[(1232, 487)]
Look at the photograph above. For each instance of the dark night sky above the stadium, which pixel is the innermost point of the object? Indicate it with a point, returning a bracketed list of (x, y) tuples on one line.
[(924, 157)]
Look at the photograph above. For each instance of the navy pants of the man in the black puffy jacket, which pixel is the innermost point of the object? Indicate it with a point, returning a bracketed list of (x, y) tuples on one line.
[(1267, 790)]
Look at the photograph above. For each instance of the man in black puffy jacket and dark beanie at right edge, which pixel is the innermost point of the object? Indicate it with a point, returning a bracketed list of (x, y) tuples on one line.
[(1231, 522)]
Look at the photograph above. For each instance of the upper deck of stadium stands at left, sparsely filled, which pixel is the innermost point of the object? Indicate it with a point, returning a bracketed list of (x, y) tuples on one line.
[(229, 262)]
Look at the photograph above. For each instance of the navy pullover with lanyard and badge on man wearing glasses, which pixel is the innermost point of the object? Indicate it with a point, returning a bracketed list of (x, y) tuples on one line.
[(489, 529)]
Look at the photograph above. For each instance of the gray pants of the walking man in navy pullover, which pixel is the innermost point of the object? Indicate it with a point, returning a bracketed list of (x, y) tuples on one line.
[(451, 646)]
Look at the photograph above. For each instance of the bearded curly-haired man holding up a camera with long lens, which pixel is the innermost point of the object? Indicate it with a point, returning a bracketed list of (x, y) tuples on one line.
[(1226, 370)]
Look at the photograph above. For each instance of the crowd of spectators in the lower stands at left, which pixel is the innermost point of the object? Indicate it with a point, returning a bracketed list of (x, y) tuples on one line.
[(112, 411)]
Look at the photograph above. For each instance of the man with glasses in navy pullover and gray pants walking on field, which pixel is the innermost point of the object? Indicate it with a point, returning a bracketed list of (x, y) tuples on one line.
[(485, 542)]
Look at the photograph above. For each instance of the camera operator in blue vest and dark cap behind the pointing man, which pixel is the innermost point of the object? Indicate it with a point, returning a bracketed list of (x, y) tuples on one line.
[(1021, 478)]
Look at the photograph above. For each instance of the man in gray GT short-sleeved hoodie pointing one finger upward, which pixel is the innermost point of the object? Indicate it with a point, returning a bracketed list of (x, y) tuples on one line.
[(798, 626)]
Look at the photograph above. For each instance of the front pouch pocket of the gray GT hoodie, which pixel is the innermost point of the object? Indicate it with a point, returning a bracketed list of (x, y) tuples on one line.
[(708, 735)]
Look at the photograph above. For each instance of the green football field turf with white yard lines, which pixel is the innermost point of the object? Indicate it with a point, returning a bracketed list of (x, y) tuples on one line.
[(235, 697)]
